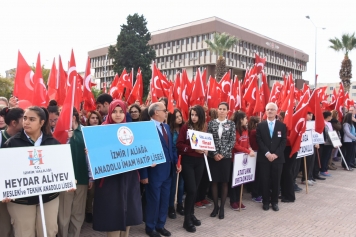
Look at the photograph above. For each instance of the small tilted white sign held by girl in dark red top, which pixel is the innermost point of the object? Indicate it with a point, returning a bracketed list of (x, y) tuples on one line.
[(201, 140)]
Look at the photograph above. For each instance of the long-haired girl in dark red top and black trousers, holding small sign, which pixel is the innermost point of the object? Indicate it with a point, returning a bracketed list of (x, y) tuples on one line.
[(192, 164)]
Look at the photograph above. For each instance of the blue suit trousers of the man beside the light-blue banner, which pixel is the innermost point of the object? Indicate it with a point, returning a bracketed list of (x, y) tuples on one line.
[(157, 195)]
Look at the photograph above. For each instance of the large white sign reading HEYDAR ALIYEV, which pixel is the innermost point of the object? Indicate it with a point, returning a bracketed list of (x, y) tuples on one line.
[(35, 170)]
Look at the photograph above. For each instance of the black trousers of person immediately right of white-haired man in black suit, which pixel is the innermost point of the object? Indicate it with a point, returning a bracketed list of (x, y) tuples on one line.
[(287, 179)]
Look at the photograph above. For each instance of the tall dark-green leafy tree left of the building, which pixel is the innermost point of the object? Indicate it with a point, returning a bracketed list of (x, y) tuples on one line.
[(132, 49)]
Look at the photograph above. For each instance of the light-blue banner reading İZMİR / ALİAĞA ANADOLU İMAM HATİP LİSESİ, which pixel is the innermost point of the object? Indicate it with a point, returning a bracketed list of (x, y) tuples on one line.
[(119, 148)]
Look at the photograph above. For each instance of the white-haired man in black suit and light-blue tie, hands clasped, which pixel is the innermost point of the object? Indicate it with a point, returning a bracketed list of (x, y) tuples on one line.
[(271, 136)]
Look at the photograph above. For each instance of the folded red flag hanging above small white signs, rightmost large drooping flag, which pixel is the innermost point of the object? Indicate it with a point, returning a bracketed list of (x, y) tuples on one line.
[(314, 107)]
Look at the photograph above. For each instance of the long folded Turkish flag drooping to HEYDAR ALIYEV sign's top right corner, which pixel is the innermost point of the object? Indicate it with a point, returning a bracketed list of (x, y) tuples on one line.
[(65, 118)]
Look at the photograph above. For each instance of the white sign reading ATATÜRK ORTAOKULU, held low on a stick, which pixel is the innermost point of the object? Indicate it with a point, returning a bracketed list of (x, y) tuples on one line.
[(244, 169)]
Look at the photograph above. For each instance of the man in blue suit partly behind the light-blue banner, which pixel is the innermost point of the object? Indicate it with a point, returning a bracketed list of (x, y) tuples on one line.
[(159, 177)]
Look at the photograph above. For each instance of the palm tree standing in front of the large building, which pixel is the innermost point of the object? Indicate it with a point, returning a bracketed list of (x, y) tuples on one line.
[(219, 44)]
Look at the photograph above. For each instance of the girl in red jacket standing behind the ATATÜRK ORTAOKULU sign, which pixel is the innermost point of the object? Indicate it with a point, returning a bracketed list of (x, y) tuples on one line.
[(242, 144)]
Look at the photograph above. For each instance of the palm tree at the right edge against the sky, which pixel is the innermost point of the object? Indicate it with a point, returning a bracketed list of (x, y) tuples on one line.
[(346, 45)]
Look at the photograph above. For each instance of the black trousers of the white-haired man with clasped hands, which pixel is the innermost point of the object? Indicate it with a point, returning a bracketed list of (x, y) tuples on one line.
[(270, 177)]
